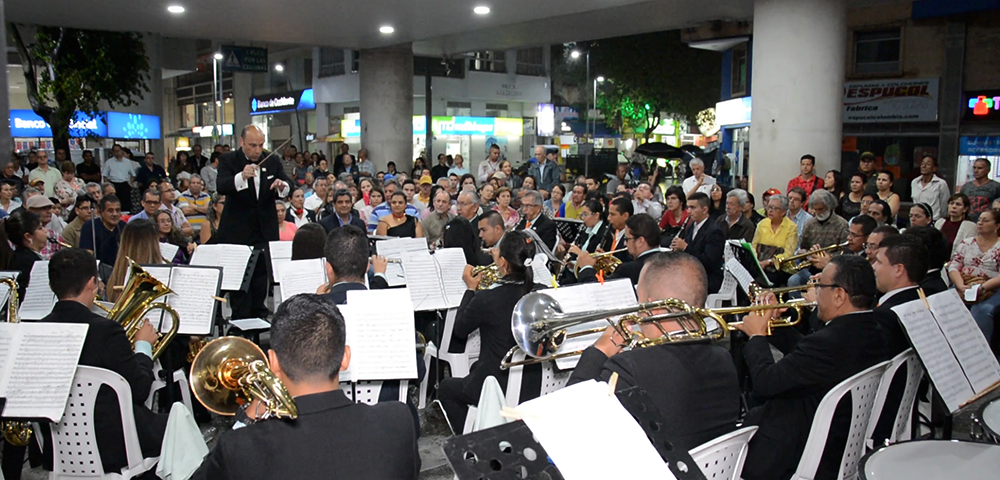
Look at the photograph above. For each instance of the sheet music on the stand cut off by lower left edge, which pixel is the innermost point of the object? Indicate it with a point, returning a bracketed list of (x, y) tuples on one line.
[(38, 362)]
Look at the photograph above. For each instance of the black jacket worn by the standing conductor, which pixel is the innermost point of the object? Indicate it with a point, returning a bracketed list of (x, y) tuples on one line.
[(249, 218)]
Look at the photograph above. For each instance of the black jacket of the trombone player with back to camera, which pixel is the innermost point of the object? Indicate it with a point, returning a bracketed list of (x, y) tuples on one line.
[(693, 385)]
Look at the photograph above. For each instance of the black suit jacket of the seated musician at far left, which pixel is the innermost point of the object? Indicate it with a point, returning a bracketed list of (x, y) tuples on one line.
[(106, 346)]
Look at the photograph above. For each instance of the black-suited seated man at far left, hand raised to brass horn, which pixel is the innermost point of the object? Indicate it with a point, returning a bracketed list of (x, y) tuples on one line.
[(73, 278)]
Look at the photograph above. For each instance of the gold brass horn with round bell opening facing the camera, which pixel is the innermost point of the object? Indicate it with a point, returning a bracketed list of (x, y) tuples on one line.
[(229, 372)]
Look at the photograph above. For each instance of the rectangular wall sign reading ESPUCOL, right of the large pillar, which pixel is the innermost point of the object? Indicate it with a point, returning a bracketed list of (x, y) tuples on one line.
[(912, 100)]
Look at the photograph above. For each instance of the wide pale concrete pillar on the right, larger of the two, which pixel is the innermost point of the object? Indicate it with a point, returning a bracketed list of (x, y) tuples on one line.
[(799, 54)]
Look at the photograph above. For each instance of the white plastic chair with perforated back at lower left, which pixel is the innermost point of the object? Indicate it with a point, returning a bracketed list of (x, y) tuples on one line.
[(74, 446)]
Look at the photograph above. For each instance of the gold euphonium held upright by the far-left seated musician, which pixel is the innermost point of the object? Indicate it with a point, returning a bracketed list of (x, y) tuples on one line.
[(136, 301)]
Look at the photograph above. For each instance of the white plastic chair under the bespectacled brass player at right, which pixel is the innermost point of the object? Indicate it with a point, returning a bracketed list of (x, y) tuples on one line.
[(862, 388)]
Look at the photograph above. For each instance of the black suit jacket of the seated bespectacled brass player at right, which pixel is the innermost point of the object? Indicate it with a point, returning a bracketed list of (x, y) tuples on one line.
[(793, 387)]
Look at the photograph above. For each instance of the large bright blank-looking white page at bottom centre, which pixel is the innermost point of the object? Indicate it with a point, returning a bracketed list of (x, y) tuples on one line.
[(579, 450)]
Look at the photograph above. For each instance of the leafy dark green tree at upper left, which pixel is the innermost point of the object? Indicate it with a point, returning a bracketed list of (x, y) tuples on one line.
[(68, 70)]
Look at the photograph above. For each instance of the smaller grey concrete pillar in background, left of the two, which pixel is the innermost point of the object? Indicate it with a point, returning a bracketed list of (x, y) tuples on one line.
[(386, 77)]
